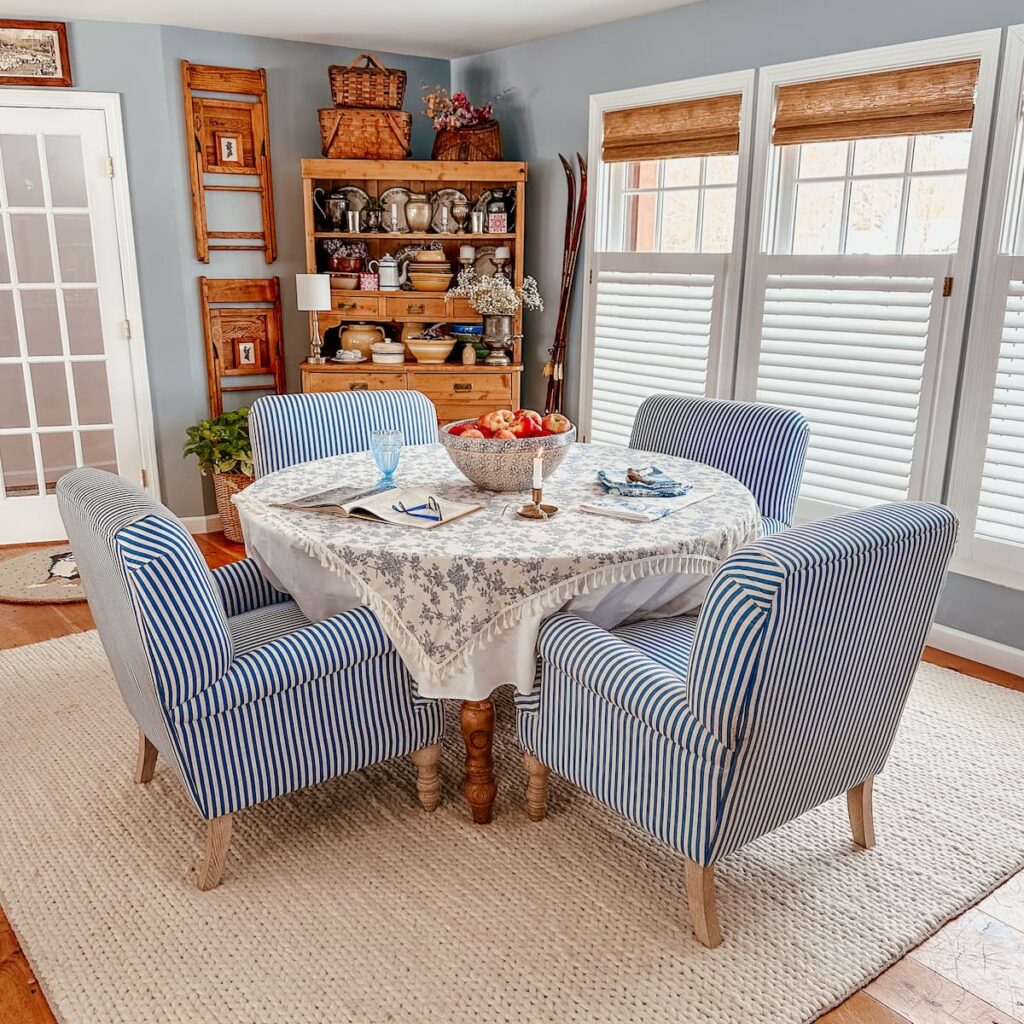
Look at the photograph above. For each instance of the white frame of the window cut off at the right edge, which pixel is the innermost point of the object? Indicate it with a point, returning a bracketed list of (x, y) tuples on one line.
[(1002, 237)]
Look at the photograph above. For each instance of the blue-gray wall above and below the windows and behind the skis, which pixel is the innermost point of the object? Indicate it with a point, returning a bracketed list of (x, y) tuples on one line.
[(547, 114)]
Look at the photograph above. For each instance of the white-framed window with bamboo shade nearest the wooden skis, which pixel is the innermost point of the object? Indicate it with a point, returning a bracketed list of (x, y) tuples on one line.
[(662, 285)]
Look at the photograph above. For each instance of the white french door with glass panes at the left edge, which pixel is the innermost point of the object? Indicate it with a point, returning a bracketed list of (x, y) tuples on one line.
[(66, 362)]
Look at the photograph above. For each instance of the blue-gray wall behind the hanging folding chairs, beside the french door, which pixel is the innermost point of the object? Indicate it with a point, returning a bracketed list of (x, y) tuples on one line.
[(143, 64)]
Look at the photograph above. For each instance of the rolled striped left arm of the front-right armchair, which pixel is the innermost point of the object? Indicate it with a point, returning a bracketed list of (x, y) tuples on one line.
[(619, 673)]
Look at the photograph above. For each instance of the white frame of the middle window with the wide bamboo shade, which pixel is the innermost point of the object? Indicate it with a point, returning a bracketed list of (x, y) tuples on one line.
[(940, 388)]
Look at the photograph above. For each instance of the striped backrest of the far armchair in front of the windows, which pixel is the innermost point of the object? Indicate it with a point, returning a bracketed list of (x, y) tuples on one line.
[(763, 447)]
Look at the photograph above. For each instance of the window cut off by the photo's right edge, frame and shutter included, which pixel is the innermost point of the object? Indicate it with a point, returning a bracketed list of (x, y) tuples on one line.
[(988, 480)]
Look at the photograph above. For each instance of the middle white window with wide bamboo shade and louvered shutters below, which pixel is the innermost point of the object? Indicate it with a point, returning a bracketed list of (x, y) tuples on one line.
[(856, 295)]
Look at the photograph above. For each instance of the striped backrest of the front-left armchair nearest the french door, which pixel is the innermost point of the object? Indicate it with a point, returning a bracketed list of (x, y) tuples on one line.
[(156, 607)]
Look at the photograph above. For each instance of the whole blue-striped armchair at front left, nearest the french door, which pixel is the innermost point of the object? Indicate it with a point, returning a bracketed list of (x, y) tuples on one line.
[(242, 696)]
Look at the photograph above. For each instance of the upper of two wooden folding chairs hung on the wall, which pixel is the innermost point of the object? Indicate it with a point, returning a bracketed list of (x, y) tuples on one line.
[(229, 137)]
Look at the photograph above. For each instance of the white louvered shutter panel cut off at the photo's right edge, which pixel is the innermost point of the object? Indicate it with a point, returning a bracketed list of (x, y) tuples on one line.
[(1001, 502)]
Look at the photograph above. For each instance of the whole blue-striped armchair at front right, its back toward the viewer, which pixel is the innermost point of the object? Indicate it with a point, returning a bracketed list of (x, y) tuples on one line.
[(787, 692)]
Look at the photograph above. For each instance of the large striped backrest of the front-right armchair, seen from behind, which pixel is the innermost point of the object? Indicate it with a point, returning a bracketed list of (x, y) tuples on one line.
[(805, 652)]
